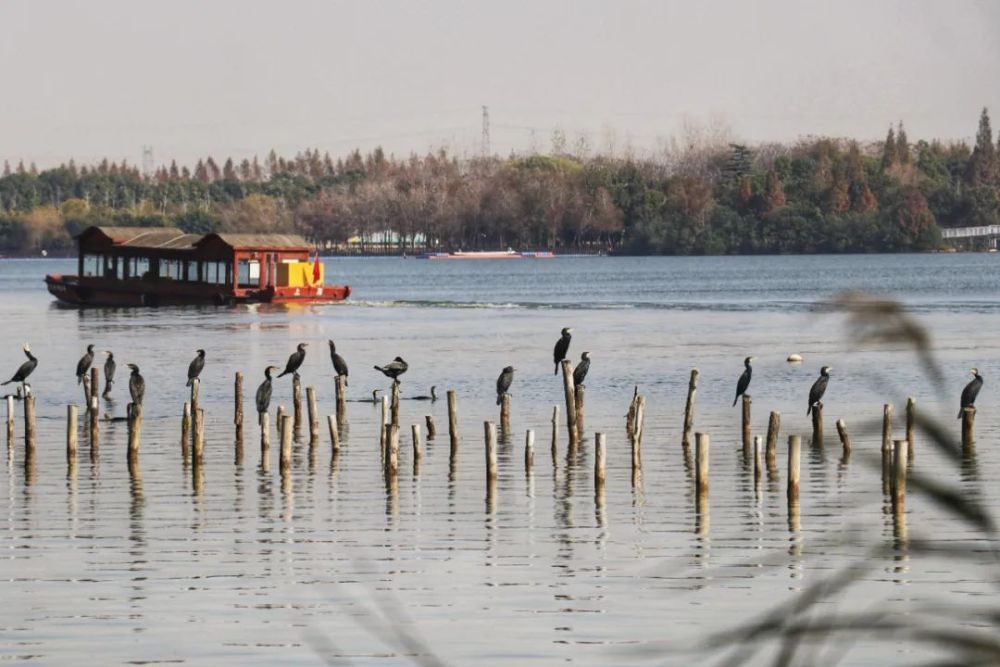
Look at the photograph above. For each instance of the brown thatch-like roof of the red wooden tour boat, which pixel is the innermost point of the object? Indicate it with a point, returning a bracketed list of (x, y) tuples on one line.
[(169, 238)]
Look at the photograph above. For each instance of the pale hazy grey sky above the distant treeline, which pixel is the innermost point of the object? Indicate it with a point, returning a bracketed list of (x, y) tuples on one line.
[(226, 77)]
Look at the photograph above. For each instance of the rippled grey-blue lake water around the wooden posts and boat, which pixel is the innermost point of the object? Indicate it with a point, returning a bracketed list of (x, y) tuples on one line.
[(331, 567)]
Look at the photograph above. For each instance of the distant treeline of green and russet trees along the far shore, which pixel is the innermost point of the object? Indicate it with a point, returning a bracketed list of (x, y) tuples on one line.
[(708, 196)]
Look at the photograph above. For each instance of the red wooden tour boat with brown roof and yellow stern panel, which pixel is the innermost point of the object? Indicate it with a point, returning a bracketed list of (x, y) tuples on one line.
[(158, 266)]
